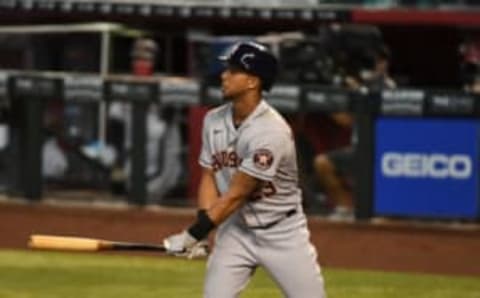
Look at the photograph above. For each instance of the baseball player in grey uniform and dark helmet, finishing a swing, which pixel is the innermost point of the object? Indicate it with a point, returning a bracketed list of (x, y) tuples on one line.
[(248, 188)]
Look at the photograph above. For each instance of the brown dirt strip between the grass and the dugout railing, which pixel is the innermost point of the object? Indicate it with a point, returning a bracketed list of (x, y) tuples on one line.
[(399, 246)]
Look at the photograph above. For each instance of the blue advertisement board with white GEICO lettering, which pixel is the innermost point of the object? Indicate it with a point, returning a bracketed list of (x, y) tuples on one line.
[(427, 167)]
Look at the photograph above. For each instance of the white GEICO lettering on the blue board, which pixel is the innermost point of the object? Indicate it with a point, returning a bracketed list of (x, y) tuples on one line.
[(436, 165)]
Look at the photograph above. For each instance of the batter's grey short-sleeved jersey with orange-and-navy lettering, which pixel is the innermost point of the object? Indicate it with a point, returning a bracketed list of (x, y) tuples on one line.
[(262, 147)]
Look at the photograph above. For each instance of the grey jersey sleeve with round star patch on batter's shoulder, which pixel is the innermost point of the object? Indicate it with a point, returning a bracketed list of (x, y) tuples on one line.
[(264, 154)]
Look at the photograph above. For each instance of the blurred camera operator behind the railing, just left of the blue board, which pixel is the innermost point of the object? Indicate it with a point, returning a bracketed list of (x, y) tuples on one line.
[(334, 169)]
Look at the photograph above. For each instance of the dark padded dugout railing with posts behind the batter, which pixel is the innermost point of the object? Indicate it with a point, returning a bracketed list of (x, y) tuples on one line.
[(32, 89)]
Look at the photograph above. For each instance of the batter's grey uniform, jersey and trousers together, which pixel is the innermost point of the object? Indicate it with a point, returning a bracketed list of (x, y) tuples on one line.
[(269, 230)]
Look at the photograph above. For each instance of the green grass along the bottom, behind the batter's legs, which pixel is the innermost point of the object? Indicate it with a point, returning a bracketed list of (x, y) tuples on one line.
[(25, 274)]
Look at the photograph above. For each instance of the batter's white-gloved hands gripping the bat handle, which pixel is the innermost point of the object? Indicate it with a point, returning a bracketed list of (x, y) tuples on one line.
[(185, 245)]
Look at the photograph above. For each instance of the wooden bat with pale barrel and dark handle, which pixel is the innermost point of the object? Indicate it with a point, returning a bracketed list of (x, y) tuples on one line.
[(87, 244)]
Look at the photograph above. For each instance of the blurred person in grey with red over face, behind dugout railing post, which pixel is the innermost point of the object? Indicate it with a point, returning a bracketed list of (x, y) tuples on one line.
[(163, 138)]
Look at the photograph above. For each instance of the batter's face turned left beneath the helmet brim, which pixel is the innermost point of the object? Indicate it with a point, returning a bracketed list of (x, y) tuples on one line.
[(235, 82)]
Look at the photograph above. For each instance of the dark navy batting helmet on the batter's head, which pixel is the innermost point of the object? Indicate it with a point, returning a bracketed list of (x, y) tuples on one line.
[(255, 59)]
